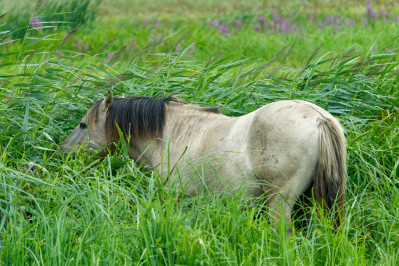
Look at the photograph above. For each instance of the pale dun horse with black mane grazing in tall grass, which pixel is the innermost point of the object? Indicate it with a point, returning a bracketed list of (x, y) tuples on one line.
[(277, 152)]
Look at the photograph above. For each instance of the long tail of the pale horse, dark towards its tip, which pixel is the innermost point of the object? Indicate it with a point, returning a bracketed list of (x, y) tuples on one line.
[(329, 180)]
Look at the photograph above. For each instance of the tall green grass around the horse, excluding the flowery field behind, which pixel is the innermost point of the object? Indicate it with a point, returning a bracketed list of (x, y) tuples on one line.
[(87, 210)]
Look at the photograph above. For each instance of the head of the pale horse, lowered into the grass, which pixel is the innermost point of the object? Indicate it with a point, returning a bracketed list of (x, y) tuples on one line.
[(91, 129)]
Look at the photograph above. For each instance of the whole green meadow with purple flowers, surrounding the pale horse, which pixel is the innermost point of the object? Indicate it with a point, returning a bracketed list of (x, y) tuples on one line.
[(58, 57)]
